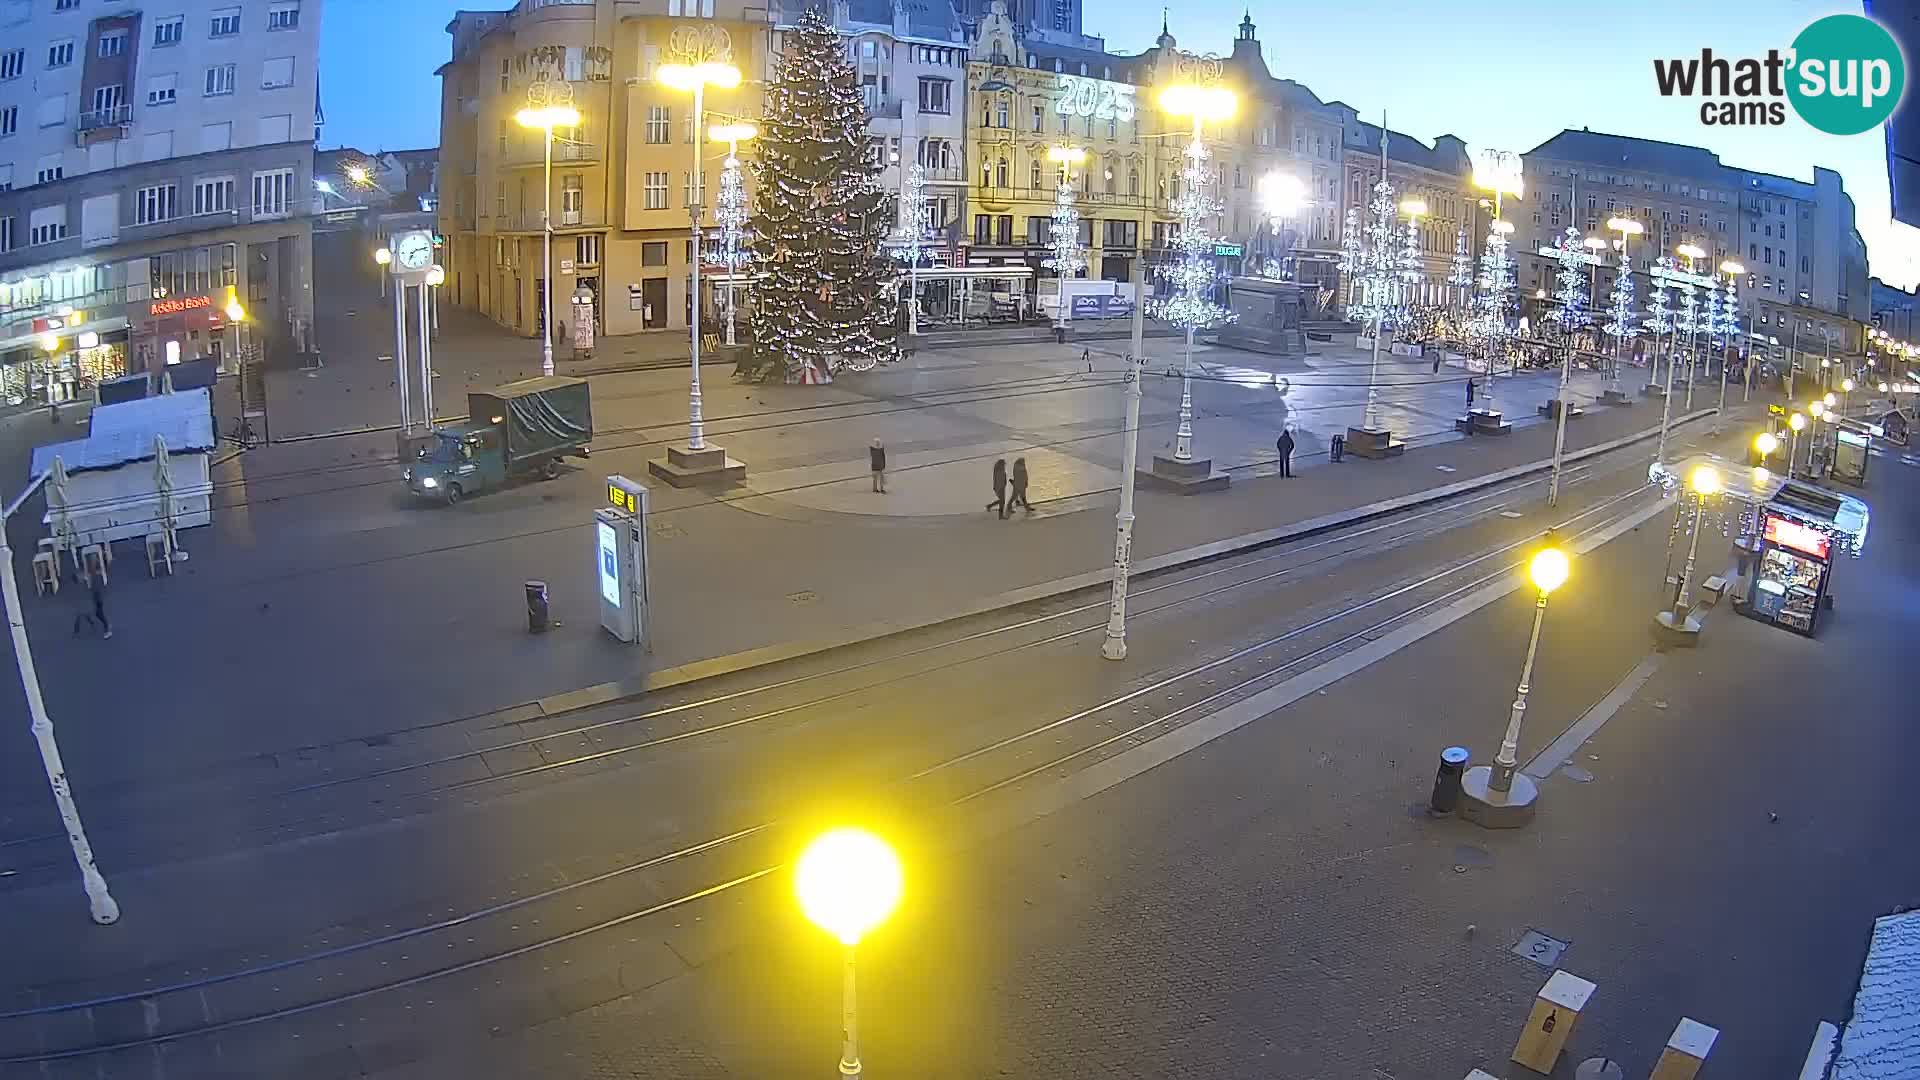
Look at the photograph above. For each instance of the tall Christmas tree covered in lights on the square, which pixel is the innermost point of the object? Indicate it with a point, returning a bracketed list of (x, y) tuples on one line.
[(819, 220)]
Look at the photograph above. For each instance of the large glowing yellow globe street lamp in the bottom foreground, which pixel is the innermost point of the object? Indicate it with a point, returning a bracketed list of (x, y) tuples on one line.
[(848, 883)]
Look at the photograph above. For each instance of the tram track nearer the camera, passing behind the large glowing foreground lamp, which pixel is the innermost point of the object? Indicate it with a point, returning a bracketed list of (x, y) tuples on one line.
[(256, 1004)]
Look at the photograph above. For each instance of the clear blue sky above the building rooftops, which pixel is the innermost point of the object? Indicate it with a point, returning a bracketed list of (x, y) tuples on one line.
[(1500, 74)]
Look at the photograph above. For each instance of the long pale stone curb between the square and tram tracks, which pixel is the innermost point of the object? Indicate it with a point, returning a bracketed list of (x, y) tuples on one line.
[(732, 664)]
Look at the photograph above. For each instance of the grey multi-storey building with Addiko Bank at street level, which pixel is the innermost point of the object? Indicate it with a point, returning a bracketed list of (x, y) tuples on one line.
[(155, 170)]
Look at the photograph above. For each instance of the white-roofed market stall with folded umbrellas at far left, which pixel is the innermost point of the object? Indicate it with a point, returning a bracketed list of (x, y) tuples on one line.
[(143, 468)]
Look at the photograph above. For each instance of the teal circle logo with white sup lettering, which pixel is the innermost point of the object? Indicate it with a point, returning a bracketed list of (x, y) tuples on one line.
[(1848, 74)]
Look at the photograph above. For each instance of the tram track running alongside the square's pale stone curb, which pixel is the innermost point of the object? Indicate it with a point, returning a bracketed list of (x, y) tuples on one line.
[(1005, 639)]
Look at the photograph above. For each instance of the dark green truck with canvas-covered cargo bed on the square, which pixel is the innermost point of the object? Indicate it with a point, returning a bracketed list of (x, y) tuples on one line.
[(510, 431)]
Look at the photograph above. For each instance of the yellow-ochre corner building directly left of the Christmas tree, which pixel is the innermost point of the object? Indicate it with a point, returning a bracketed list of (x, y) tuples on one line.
[(623, 182)]
